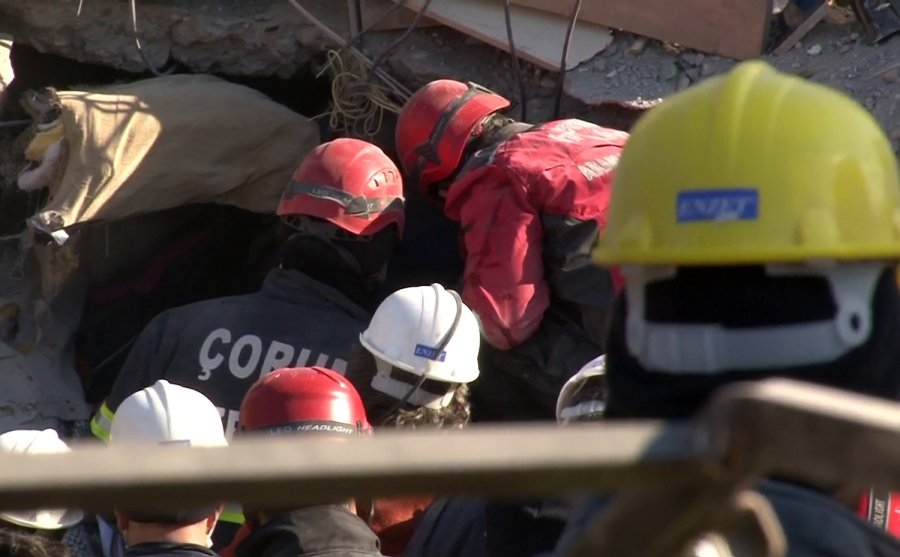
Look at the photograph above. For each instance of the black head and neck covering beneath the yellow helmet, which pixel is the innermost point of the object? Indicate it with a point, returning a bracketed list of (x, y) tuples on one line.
[(636, 392)]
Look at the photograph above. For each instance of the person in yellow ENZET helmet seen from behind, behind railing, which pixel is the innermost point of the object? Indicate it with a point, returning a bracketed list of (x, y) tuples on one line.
[(755, 219)]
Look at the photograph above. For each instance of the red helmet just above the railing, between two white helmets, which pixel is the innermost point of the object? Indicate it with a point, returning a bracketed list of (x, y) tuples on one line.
[(301, 400)]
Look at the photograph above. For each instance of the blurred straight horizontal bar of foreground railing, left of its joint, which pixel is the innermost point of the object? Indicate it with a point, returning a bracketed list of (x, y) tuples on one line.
[(286, 471)]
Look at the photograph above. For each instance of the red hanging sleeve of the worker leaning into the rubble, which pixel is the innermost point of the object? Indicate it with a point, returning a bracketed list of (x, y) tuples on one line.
[(504, 274)]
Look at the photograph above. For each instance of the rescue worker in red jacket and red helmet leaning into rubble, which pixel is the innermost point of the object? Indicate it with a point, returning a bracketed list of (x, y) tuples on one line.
[(531, 201)]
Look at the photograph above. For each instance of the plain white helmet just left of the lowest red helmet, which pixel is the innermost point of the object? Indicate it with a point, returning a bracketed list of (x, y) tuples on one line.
[(168, 414)]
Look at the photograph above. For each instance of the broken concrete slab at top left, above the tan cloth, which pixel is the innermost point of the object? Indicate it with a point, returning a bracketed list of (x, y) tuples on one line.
[(252, 38)]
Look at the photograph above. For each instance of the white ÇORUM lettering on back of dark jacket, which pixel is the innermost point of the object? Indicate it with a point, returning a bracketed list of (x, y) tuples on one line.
[(248, 355)]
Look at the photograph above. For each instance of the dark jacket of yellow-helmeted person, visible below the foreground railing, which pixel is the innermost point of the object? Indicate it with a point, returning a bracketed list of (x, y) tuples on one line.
[(814, 524)]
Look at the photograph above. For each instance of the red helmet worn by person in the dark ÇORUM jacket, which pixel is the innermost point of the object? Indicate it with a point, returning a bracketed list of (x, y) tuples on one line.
[(349, 183)]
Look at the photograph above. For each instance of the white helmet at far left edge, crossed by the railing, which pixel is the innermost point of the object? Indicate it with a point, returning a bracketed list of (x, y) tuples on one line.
[(30, 441)]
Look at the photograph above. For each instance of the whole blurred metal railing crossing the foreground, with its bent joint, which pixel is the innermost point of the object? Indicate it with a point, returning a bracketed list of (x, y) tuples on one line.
[(698, 469)]
